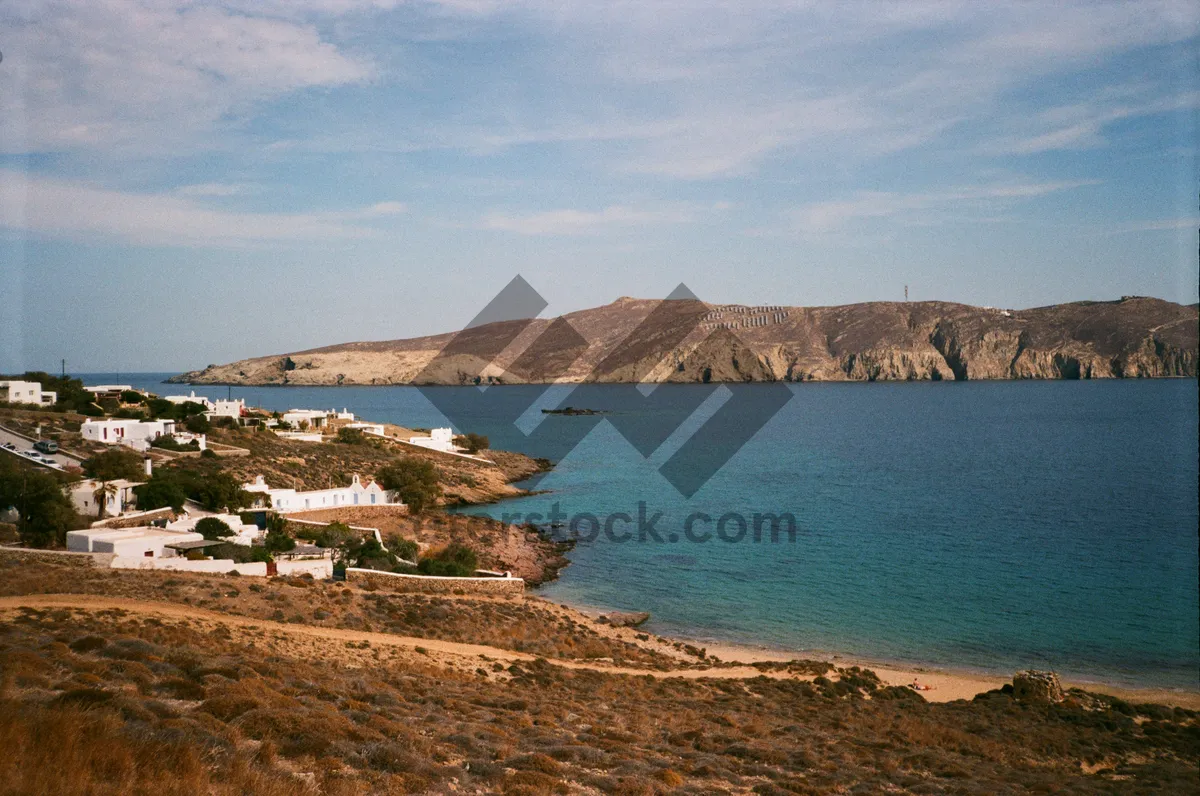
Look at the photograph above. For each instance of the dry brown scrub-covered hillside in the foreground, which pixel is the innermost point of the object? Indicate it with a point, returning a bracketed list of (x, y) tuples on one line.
[(116, 703)]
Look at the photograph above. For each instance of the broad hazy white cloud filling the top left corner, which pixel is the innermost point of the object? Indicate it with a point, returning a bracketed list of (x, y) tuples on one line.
[(151, 76)]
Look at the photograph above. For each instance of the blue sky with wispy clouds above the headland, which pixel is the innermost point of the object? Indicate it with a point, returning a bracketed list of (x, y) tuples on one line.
[(194, 183)]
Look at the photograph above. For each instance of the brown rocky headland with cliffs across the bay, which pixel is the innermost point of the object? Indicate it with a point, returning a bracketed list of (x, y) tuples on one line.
[(635, 340)]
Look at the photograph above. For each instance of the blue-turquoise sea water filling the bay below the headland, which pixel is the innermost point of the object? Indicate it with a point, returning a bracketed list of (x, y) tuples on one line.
[(987, 525)]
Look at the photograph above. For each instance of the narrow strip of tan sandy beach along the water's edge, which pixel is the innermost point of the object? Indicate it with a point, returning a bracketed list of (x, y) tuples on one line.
[(946, 685)]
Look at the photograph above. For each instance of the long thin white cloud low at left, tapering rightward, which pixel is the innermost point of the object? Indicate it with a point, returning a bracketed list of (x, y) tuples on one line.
[(44, 206)]
